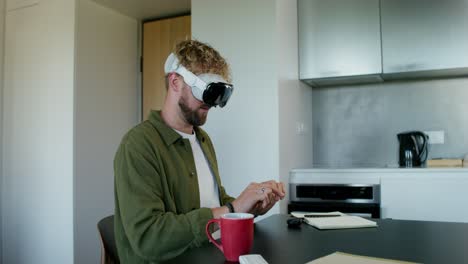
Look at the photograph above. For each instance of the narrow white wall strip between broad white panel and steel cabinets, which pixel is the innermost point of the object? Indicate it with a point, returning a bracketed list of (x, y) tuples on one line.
[(295, 97)]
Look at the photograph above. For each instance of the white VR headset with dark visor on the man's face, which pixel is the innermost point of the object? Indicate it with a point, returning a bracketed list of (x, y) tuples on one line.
[(209, 88)]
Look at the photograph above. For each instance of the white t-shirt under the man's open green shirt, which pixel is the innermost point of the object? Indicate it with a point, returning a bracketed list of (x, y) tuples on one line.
[(209, 196)]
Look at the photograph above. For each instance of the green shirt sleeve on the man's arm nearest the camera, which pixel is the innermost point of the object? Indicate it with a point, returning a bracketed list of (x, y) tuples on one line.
[(153, 233)]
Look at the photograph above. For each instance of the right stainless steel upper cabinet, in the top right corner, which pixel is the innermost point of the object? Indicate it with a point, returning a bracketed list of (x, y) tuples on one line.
[(425, 37)]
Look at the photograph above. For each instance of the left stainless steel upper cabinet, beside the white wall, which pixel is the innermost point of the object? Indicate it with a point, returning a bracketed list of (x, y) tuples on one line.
[(339, 41)]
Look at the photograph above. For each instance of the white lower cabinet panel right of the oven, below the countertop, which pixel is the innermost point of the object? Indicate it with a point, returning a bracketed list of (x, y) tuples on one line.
[(441, 197)]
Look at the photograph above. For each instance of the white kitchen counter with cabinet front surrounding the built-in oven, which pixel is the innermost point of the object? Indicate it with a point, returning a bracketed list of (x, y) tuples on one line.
[(429, 194)]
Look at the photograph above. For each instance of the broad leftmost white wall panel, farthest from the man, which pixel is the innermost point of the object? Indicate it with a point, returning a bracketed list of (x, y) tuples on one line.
[(38, 134)]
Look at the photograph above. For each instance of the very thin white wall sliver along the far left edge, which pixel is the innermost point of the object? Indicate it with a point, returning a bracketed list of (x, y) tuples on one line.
[(2, 34)]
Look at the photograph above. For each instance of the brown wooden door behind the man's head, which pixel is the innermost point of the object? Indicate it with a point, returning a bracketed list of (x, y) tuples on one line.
[(159, 39)]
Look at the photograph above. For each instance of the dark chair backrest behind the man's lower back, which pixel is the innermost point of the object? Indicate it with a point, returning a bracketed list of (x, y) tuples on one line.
[(108, 247)]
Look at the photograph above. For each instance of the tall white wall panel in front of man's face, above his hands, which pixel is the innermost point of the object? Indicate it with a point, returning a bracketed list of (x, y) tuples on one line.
[(245, 132)]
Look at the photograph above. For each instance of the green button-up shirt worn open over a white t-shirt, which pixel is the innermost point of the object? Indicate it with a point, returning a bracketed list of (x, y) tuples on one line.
[(157, 199)]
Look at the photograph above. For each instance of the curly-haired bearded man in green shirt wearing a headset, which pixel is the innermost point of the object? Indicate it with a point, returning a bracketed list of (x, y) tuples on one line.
[(167, 184)]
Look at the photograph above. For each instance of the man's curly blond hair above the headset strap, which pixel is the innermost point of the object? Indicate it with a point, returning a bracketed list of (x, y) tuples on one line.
[(199, 57)]
